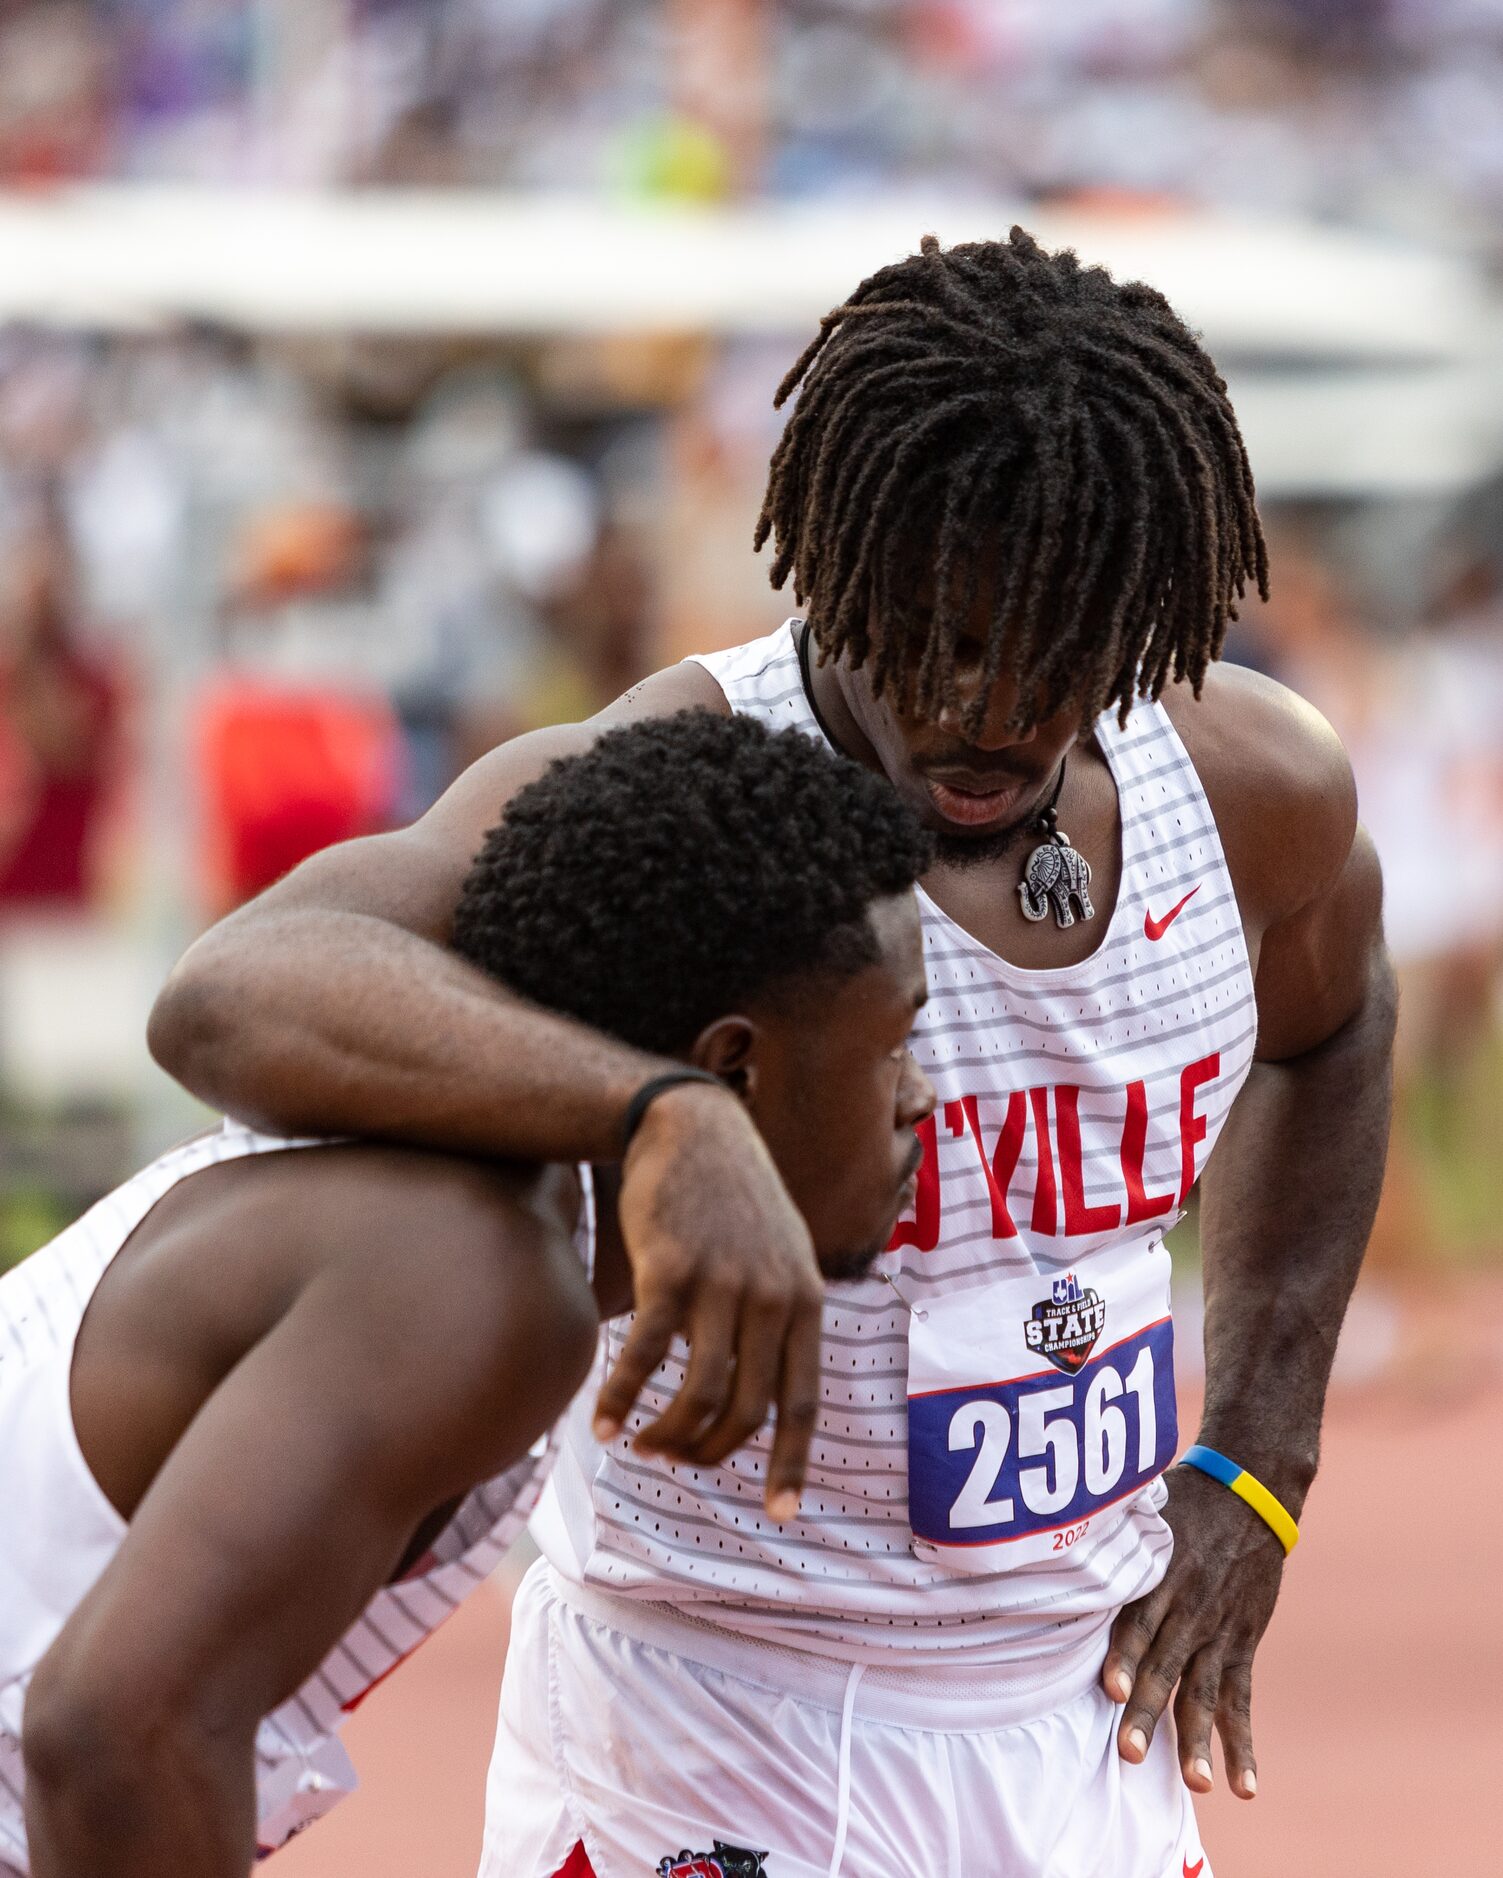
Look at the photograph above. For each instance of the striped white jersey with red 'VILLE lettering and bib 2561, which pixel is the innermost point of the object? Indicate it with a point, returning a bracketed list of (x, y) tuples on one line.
[(1076, 1111)]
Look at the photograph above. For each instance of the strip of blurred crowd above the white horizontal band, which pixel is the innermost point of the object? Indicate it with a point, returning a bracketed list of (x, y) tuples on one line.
[(1382, 110)]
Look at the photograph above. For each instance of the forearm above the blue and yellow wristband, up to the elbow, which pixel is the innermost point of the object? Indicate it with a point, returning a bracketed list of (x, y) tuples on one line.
[(1288, 1207)]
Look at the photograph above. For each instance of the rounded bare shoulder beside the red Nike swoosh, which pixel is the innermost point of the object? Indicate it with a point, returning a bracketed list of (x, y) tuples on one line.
[(1278, 782)]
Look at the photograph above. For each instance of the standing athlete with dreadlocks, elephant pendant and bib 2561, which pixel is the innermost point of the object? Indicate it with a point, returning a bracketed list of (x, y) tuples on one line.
[(1019, 512)]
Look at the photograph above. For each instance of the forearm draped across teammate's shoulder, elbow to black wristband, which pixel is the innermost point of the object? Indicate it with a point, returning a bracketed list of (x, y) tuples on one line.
[(328, 1023)]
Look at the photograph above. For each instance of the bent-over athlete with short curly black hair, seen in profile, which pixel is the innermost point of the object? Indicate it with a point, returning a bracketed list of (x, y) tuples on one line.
[(268, 1415)]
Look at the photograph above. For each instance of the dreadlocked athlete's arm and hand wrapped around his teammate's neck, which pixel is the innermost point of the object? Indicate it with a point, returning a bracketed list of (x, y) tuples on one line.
[(330, 1006)]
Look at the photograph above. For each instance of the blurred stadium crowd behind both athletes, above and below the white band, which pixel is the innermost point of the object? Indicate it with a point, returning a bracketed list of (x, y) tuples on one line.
[(262, 591)]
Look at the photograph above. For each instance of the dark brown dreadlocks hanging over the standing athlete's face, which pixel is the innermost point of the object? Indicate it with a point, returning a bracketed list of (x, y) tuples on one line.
[(995, 403)]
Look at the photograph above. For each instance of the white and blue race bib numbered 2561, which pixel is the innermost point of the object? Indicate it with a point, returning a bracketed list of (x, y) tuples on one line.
[(1036, 1408)]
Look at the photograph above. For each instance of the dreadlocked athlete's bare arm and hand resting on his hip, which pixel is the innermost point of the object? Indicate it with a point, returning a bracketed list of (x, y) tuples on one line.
[(1288, 1205)]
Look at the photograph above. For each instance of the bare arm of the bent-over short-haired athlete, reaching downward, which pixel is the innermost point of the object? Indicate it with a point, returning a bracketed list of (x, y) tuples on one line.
[(394, 1383)]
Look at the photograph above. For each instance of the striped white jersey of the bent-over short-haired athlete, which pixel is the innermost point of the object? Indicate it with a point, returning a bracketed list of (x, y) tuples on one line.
[(59, 1532)]
